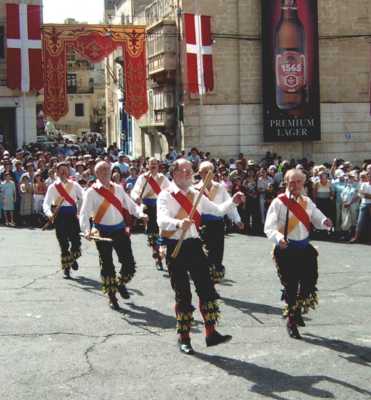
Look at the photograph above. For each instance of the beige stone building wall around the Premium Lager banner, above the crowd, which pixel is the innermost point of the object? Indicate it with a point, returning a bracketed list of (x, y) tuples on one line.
[(231, 116)]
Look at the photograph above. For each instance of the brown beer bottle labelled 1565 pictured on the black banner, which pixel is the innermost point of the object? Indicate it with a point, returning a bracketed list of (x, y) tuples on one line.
[(290, 60)]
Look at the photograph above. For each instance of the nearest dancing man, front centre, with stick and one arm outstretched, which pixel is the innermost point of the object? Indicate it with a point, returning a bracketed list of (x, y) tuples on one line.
[(174, 208)]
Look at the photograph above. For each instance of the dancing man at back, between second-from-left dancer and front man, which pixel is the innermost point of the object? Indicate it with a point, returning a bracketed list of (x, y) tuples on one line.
[(147, 187)]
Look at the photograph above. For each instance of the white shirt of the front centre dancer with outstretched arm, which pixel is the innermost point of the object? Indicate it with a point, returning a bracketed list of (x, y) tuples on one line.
[(168, 208)]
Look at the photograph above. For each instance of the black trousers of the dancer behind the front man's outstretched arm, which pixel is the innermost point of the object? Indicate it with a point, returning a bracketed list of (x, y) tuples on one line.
[(213, 235)]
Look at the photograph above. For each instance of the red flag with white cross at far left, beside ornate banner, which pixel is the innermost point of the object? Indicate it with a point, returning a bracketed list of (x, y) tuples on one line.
[(24, 59)]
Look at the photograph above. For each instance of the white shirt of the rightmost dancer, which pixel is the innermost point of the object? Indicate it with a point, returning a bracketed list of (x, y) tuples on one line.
[(276, 220)]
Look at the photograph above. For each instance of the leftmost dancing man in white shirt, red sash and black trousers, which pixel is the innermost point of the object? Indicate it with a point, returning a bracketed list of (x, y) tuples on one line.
[(60, 206)]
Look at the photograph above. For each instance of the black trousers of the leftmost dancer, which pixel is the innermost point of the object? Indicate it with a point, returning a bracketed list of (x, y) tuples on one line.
[(67, 230)]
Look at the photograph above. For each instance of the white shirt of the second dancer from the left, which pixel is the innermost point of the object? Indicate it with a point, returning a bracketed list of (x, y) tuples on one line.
[(93, 200)]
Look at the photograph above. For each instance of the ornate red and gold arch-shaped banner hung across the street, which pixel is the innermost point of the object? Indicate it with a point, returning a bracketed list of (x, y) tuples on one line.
[(93, 42)]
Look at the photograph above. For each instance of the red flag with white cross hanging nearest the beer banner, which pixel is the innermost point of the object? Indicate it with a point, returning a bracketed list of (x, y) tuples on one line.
[(199, 42)]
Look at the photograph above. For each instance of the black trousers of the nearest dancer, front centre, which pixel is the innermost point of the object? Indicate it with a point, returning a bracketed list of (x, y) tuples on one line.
[(191, 263)]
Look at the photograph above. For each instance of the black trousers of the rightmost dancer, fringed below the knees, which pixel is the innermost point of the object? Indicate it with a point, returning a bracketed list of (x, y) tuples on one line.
[(298, 272)]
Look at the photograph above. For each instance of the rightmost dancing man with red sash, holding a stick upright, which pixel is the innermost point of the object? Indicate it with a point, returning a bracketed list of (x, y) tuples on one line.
[(288, 224)]
